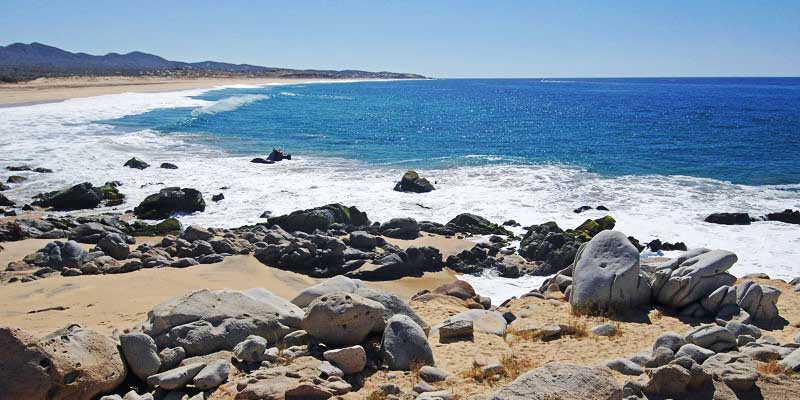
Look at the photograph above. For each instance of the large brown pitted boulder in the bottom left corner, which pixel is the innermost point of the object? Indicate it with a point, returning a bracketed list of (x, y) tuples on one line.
[(70, 364)]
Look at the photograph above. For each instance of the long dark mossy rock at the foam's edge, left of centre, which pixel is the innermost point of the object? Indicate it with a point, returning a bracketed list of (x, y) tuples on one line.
[(319, 218)]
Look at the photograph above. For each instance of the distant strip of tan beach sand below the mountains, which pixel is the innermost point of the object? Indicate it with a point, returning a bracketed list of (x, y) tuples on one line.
[(45, 90)]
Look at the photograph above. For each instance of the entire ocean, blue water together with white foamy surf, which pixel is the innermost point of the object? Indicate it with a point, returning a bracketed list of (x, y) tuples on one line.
[(661, 154)]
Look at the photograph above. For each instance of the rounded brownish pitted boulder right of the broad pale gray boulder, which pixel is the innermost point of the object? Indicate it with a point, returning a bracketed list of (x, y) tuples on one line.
[(342, 319)]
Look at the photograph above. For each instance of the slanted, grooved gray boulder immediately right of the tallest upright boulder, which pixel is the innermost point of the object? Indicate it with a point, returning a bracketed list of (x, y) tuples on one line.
[(694, 279)]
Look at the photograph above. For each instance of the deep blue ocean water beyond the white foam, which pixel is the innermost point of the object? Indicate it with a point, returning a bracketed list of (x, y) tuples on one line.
[(742, 130)]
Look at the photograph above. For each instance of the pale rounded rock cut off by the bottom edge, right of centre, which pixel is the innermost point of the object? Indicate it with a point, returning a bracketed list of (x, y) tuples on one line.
[(562, 381)]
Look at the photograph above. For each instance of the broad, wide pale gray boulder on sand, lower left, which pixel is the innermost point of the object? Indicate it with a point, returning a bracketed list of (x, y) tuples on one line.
[(207, 321)]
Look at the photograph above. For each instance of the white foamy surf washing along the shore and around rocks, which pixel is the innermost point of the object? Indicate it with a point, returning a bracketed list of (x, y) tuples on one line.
[(61, 136)]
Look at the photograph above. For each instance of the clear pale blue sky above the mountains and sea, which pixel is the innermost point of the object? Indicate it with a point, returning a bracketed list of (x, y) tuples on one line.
[(435, 38)]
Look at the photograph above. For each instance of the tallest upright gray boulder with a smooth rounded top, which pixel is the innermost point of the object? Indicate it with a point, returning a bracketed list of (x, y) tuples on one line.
[(606, 275)]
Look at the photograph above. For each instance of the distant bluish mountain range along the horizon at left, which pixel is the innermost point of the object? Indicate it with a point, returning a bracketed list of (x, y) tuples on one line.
[(21, 61)]
